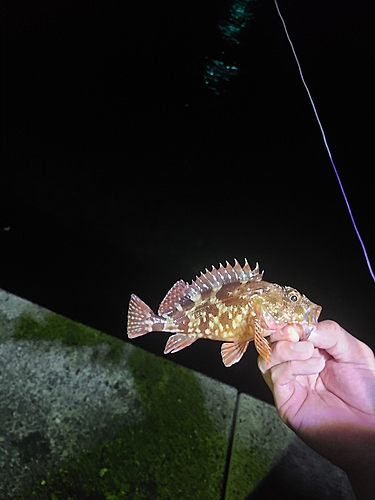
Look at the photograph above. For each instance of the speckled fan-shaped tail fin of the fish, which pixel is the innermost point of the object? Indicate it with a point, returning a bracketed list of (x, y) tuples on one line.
[(141, 318)]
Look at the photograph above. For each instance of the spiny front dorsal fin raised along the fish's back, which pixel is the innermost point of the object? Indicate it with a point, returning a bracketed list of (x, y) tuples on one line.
[(216, 278)]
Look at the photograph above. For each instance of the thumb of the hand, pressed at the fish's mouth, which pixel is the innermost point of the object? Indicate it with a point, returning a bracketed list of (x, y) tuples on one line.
[(342, 346)]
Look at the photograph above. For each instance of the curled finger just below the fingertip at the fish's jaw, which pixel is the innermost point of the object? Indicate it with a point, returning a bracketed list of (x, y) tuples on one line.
[(283, 351)]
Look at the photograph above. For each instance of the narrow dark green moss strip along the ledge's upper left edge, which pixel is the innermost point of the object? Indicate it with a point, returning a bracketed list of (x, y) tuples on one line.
[(56, 327)]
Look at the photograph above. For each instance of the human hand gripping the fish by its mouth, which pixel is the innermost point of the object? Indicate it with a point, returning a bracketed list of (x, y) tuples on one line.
[(324, 389)]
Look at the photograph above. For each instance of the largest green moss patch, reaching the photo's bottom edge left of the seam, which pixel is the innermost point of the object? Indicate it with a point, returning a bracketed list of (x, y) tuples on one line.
[(175, 453)]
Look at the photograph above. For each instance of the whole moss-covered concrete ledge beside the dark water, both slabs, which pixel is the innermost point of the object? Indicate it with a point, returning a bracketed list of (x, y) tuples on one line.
[(85, 416)]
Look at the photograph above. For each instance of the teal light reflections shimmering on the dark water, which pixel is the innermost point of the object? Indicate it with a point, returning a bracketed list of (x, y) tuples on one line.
[(217, 71)]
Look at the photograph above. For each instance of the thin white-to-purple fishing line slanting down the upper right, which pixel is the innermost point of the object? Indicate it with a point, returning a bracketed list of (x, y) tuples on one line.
[(326, 143)]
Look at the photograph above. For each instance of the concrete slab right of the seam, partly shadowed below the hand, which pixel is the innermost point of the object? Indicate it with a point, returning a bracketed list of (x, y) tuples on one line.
[(269, 461)]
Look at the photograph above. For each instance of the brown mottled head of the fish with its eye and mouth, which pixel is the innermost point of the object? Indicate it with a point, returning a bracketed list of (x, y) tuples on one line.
[(284, 305)]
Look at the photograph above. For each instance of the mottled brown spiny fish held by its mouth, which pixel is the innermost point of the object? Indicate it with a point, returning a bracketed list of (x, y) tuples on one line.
[(232, 304)]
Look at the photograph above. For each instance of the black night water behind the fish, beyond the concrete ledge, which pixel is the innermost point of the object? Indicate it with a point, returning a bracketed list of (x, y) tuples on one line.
[(144, 142)]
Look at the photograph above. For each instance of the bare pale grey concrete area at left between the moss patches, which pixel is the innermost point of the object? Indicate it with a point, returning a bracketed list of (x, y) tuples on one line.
[(54, 402)]
